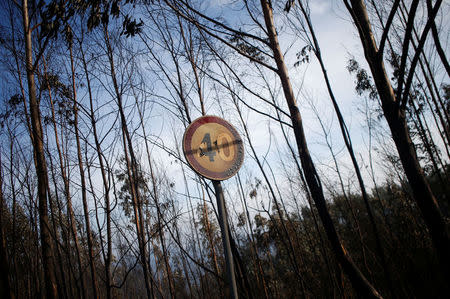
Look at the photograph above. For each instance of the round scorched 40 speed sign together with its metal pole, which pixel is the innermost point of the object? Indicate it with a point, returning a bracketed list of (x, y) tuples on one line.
[(214, 149)]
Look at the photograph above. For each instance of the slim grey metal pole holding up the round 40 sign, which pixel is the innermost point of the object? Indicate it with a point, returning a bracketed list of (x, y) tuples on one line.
[(226, 239)]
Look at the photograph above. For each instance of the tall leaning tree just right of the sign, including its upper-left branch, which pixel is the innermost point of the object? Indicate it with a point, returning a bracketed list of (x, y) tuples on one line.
[(261, 46)]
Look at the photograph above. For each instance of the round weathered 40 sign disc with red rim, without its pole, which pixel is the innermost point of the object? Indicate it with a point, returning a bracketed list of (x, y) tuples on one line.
[(213, 148)]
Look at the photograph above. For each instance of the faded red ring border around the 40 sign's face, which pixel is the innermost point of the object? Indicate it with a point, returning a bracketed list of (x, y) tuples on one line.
[(194, 163)]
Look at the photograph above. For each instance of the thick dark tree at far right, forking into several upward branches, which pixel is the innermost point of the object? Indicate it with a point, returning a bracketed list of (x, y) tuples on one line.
[(395, 101)]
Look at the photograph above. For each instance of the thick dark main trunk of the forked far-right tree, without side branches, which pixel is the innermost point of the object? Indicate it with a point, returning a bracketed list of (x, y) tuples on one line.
[(396, 118)]
